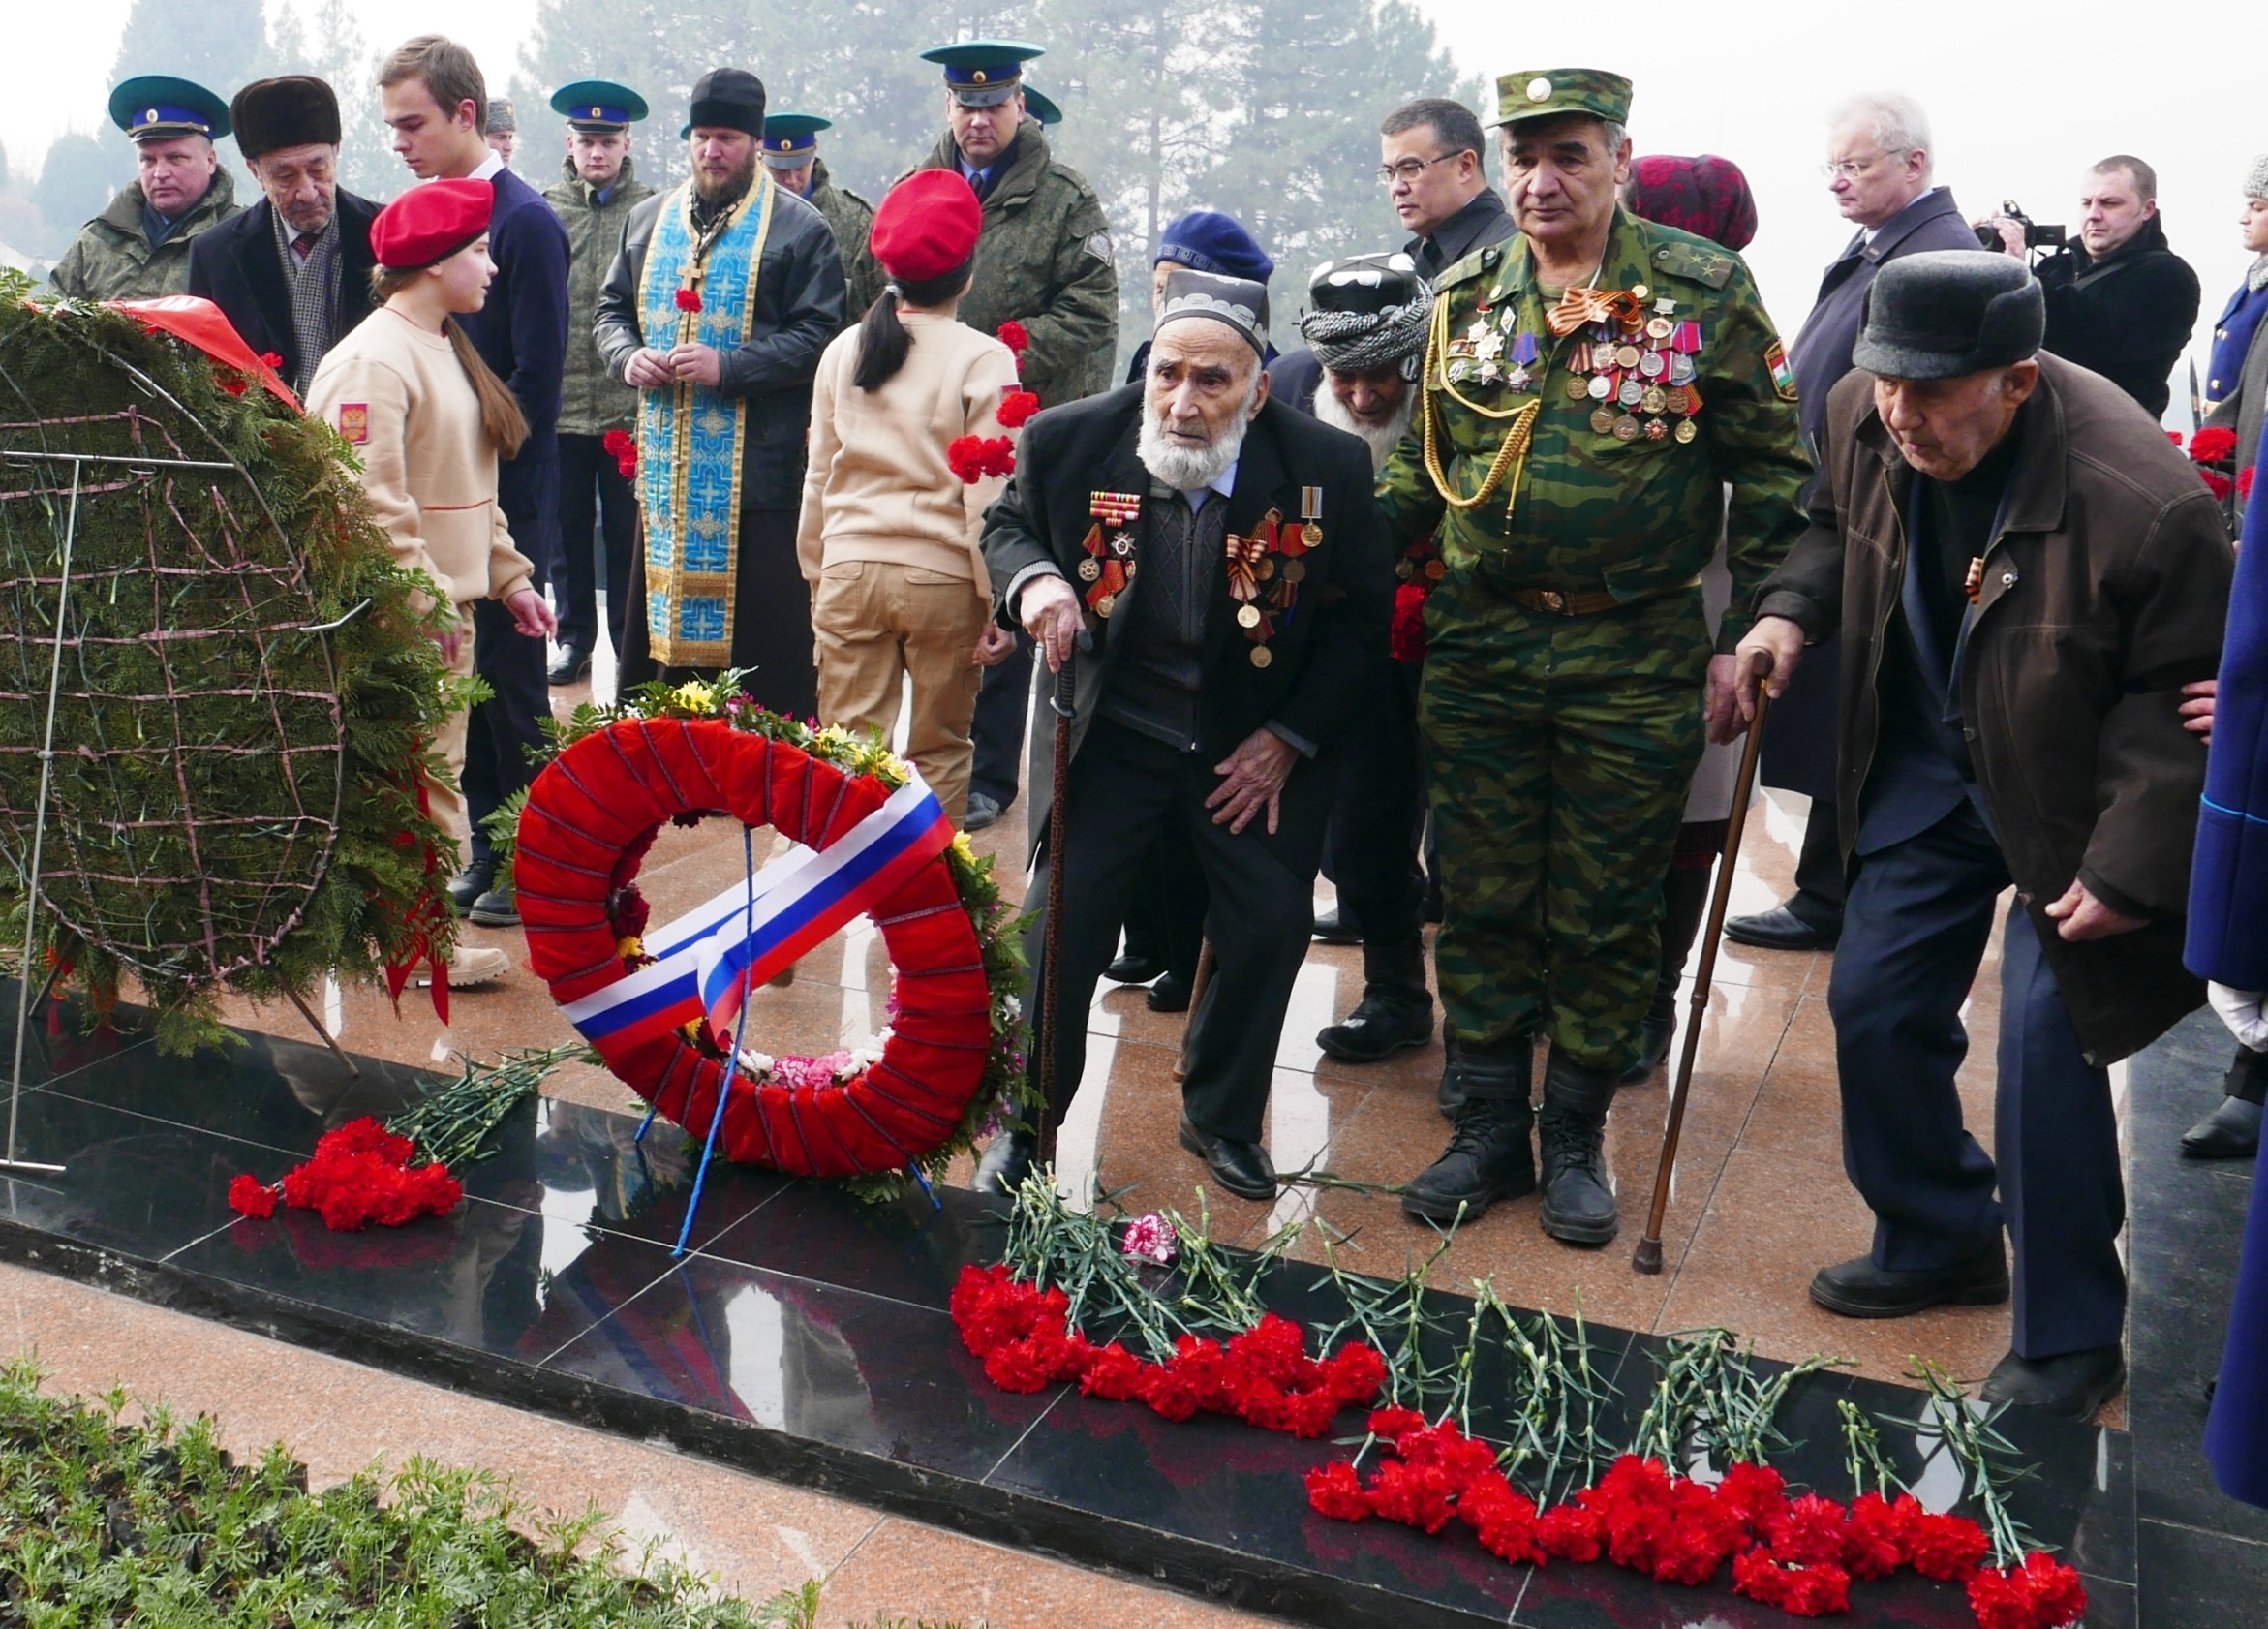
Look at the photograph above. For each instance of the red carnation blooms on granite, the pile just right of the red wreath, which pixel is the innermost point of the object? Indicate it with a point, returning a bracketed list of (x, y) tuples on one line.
[(1262, 1376)]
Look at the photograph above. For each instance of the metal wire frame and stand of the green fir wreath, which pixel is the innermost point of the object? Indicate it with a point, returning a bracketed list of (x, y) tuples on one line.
[(158, 480)]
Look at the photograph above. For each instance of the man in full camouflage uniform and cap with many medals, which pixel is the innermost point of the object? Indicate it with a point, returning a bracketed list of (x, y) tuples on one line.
[(1591, 389)]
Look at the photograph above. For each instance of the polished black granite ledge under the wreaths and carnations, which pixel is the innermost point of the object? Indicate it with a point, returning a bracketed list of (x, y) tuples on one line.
[(806, 1337)]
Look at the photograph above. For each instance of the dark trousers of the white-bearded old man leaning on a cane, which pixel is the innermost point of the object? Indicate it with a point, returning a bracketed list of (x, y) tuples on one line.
[(1124, 791)]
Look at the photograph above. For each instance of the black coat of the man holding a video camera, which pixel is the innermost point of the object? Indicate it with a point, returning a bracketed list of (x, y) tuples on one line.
[(2126, 316)]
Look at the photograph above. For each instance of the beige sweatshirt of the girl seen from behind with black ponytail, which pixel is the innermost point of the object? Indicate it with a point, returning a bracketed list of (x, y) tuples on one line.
[(879, 484)]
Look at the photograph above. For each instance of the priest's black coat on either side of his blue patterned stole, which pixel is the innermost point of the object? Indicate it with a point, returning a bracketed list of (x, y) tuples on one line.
[(799, 307)]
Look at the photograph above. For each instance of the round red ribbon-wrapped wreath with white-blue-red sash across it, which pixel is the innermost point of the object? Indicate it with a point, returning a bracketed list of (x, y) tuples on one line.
[(589, 822)]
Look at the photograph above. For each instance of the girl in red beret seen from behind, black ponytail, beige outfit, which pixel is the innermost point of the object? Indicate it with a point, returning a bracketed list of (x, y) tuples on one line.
[(913, 434)]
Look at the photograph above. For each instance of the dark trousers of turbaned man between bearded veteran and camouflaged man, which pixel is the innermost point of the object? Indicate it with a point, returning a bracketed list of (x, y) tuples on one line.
[(1378, 818)]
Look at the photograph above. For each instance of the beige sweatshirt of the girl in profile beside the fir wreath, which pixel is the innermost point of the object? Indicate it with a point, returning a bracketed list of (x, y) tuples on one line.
[(403, 400)]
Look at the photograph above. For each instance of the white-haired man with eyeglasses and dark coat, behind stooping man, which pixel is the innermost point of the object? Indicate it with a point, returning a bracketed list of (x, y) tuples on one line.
[(1881, 178)]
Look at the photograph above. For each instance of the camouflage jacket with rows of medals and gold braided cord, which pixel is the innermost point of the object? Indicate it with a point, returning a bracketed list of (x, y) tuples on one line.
[(1623, 489)]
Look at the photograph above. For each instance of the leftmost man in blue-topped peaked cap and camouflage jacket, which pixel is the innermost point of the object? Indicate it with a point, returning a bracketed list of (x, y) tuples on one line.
[(139, 246)]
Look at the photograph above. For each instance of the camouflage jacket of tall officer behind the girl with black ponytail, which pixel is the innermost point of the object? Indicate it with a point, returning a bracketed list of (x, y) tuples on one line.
[(1044, 262)]
